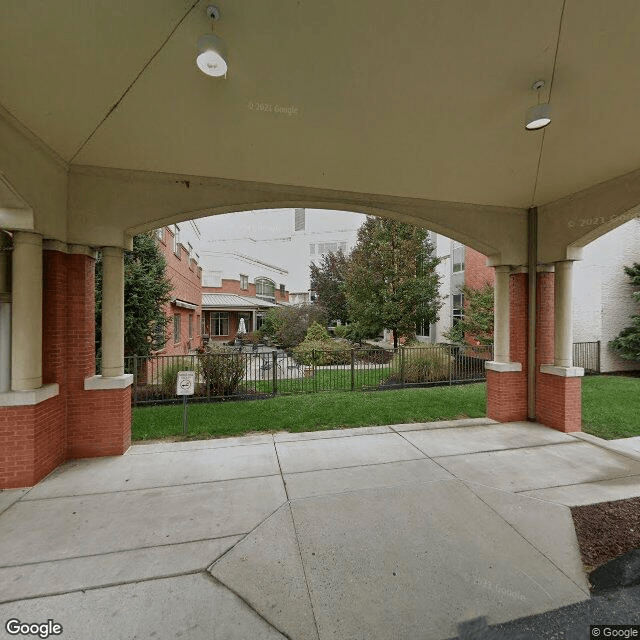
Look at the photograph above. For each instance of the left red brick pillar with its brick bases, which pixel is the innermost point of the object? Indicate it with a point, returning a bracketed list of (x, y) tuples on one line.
[(76, 423)]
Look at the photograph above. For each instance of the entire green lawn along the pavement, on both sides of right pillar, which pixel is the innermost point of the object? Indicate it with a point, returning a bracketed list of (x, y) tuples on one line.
[(610, 409)]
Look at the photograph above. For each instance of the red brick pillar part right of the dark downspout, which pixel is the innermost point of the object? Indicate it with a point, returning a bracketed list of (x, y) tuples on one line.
[(558, 395)]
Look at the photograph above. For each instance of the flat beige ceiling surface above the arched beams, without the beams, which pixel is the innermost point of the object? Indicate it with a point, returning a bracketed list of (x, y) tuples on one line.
[(416, 98)]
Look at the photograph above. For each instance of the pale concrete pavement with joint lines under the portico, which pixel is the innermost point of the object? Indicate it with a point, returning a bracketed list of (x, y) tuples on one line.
[(397, 532)]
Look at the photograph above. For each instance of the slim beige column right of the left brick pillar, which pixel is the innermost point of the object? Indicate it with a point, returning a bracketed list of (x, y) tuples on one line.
[(112, 312)]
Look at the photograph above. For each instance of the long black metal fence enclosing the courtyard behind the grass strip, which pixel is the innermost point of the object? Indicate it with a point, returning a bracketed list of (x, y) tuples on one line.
[(252, 373)]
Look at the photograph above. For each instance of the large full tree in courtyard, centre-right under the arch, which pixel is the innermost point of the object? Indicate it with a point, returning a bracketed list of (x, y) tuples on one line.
[(392, 281)]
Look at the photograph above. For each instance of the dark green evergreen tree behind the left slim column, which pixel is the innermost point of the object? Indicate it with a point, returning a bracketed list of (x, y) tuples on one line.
[(146, 290)]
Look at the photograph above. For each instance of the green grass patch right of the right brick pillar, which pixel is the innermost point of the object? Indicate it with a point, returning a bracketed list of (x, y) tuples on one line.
[(611, 406)]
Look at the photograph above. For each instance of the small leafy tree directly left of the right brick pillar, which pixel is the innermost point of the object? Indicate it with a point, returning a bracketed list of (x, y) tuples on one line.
[(477, 323)]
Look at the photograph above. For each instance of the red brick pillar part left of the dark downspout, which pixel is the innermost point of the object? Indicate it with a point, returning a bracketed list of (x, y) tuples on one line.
[(507, 389)]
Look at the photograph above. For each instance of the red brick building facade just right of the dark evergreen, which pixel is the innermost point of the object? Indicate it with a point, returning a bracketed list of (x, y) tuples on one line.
[(186, 278)]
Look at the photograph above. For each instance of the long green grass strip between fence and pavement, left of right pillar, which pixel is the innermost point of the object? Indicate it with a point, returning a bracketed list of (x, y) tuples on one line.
[(311, 412)]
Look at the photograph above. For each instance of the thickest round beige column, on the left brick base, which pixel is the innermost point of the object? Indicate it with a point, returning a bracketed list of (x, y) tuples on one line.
[(26, 325)]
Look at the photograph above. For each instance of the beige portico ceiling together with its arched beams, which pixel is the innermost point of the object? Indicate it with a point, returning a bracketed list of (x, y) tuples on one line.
[(413, 109)]
